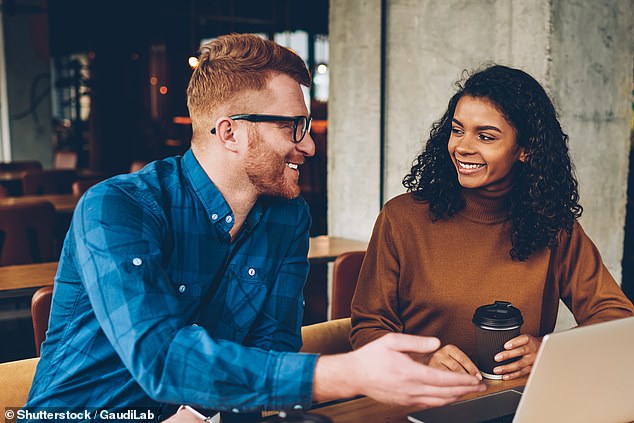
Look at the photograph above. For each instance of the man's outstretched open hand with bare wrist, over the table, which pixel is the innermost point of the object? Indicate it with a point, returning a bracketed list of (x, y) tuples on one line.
[(384, 371)]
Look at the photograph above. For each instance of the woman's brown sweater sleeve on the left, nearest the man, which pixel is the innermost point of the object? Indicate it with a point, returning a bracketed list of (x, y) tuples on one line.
[(374, 309)]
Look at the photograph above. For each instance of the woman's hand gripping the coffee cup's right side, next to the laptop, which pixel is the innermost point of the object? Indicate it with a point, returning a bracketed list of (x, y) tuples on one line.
[(524, 346)]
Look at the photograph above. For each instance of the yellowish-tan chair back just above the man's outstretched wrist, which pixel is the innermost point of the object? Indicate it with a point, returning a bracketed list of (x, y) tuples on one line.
[(331, 337)]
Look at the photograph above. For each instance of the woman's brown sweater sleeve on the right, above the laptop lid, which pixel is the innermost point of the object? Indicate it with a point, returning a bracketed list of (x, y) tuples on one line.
[(586, 285)]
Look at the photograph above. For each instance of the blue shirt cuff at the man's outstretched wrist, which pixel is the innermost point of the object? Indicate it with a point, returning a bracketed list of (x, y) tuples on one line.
[(292, 380)]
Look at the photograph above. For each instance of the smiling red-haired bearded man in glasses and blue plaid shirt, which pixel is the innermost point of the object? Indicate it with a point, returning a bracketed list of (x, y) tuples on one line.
[(182, 283)]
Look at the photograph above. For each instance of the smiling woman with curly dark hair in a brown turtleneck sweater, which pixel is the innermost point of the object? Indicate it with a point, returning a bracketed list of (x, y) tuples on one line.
[(490, 214)]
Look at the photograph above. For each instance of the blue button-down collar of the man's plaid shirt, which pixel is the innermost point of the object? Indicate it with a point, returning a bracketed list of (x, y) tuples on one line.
[(214, 203)]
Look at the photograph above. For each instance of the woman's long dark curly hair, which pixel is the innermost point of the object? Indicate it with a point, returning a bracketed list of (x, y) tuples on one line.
[(544, 197)]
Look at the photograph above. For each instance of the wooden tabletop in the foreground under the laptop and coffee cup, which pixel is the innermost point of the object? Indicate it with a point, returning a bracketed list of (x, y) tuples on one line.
[(364, 410)]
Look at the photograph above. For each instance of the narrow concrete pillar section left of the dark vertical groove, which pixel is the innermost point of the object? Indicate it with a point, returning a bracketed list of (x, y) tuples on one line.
[(354, 113)]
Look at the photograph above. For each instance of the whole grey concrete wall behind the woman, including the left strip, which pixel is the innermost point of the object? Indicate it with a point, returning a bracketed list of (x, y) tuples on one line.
[(580, 51)]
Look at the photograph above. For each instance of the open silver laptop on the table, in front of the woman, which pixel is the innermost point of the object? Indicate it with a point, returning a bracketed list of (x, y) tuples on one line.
[(581, 375)]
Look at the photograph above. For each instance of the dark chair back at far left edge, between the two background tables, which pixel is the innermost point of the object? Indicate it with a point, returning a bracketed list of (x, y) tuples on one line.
[(27, 233)]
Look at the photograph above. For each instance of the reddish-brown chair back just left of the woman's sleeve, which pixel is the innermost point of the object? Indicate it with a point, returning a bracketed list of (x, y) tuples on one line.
[(345, 273)]
